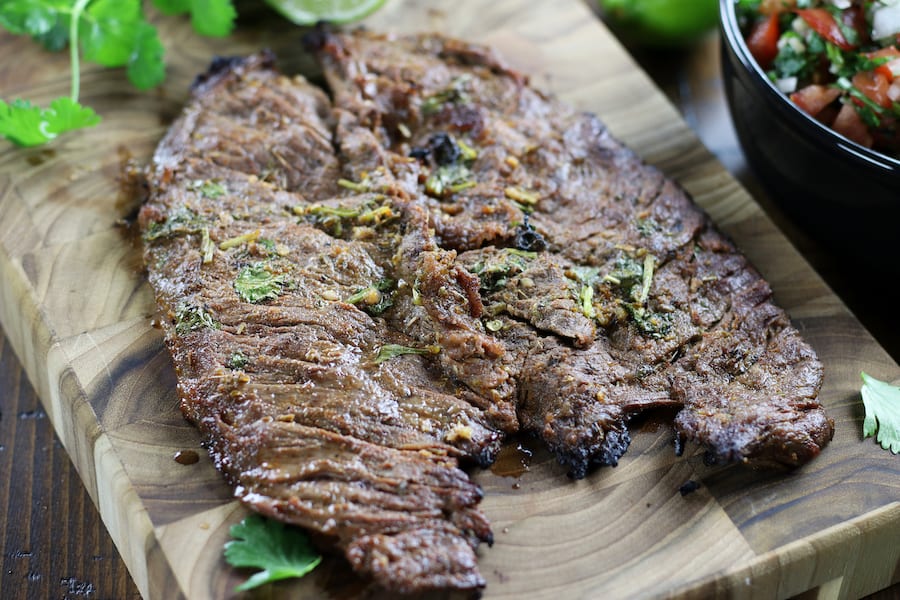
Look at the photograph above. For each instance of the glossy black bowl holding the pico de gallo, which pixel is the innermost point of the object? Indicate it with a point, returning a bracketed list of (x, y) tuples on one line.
[(845, 196)]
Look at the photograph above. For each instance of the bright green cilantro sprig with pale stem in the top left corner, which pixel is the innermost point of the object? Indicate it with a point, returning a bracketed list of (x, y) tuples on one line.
[(111, 33)]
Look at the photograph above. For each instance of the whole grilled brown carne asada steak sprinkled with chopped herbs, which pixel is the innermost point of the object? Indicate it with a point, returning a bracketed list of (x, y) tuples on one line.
[(364, 294)]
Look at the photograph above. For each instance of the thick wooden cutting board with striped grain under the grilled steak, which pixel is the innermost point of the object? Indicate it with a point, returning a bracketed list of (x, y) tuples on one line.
[(77, 309)]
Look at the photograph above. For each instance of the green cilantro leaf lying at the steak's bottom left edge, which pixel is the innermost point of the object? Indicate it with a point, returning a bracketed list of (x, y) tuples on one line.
[(280, 551)]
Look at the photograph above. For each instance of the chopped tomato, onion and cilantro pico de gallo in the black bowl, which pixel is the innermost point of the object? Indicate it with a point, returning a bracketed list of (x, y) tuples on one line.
[(838, 60)]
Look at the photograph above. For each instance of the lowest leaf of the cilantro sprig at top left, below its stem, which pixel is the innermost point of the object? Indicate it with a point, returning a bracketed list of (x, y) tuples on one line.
[(28, 125)]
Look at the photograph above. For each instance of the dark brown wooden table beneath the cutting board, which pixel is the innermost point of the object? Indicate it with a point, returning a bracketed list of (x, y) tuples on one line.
[(54, 544)]
